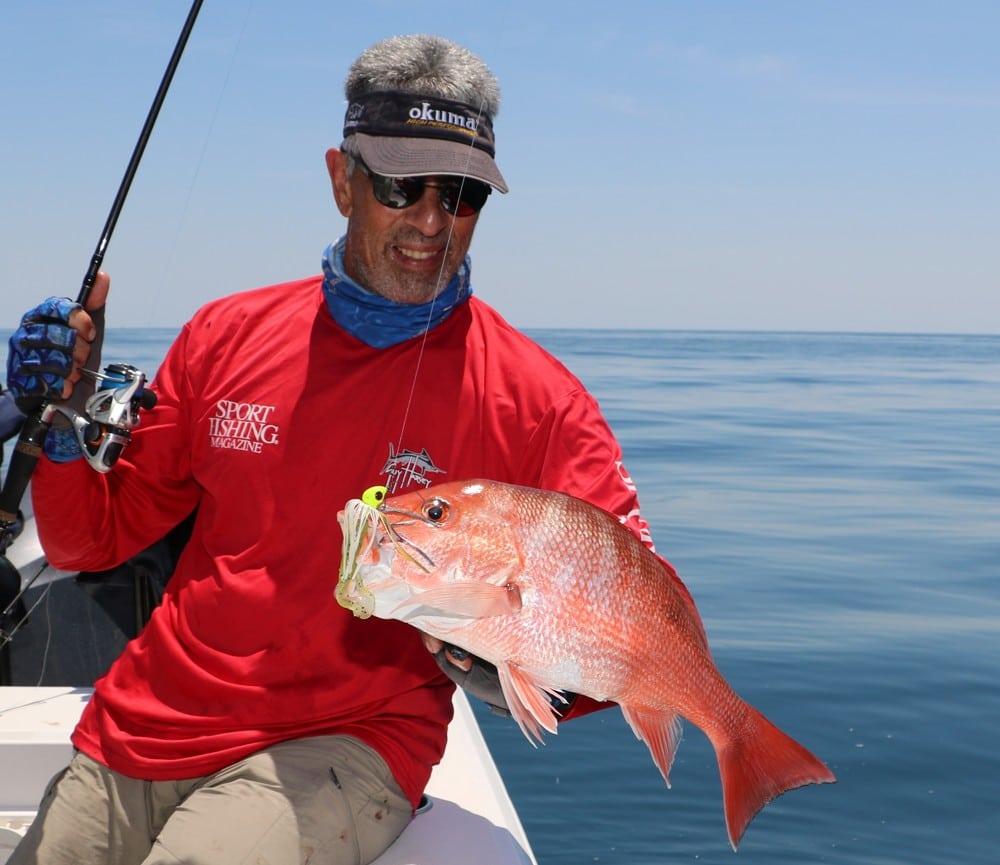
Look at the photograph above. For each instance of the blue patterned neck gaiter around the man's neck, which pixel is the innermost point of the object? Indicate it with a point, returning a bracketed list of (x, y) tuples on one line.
[(380, 322)]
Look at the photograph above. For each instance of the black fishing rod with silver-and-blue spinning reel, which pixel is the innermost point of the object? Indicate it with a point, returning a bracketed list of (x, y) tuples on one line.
[(103, 429)]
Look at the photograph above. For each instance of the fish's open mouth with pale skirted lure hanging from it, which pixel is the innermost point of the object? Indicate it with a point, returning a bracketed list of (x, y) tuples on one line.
[(369, 546)]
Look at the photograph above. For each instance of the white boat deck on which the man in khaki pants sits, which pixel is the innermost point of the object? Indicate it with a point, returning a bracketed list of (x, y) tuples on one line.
[(471, 819)]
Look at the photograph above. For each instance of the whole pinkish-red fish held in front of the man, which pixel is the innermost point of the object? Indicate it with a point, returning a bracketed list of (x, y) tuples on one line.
[(563, 598)]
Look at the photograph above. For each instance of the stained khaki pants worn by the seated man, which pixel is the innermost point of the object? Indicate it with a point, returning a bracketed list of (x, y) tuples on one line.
[(328, 800)]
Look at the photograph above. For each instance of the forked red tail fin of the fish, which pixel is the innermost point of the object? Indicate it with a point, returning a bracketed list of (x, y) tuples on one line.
[(759, 766)]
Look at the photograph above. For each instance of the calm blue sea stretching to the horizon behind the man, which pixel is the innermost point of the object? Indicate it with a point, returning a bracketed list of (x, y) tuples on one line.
[(833, 503)]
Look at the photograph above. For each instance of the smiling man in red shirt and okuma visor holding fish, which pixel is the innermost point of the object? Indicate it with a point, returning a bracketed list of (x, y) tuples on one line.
[(254, 719)]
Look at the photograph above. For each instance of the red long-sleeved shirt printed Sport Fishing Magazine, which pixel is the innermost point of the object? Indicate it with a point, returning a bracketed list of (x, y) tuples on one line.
[(269, 418)]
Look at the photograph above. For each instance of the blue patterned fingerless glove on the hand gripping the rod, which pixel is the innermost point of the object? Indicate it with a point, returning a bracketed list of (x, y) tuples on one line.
[(40, 358)]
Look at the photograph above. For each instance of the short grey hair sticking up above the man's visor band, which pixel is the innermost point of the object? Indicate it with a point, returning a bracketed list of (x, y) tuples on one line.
[(425, 66)]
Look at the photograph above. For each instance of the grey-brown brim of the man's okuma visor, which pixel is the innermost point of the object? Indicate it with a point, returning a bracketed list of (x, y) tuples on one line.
[(415, 157)]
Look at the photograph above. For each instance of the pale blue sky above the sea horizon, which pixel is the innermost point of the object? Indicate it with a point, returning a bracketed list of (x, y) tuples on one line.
[(706, 165)]
